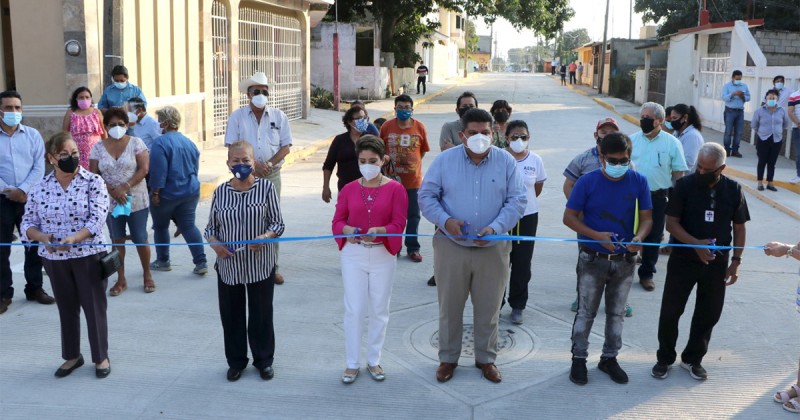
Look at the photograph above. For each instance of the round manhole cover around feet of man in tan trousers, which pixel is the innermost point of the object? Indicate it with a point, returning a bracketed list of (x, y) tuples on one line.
[(513, 343)]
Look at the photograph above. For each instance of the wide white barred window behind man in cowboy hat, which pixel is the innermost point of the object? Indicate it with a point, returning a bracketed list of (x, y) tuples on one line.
[(271, 43)]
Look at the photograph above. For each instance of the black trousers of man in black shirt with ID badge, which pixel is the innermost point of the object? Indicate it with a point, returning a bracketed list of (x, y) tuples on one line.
[(682, 275)]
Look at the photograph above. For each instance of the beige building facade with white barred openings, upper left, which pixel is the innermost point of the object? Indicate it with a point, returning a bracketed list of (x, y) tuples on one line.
[(190, 54)]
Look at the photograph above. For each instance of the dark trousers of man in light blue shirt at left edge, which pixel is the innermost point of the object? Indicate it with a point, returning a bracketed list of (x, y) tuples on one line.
[(10, 217)]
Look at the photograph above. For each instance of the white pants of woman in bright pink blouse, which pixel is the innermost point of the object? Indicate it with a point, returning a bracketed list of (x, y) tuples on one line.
[(367, 275)]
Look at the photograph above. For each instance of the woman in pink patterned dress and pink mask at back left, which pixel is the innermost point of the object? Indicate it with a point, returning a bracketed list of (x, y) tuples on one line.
[(84, 122)]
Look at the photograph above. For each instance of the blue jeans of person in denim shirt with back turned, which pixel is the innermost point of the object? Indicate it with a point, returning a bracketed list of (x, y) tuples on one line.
[(183, 211)]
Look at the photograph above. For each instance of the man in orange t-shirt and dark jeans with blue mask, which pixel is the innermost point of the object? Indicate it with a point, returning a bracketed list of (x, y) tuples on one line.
[(406, 141)]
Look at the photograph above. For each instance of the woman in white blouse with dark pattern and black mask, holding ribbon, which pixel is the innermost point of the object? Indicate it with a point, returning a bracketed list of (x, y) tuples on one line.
[(65, 213)]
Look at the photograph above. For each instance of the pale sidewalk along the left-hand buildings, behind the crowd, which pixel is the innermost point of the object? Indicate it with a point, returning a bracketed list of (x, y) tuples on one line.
[(310, 135)]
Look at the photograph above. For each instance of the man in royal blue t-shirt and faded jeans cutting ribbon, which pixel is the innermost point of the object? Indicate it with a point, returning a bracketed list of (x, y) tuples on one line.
[(603, 207)]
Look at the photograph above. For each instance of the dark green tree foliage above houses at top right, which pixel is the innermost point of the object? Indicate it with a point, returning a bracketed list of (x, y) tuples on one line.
[(674, 15)]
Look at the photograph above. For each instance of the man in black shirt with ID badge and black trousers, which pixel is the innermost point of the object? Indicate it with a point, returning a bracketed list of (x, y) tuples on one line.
[(703, 209)]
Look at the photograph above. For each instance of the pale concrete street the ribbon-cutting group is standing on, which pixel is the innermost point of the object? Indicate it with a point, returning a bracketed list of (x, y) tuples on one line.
[(167, 352)]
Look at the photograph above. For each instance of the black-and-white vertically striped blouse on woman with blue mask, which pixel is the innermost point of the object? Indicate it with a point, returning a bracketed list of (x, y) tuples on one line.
[(241, 216)]
